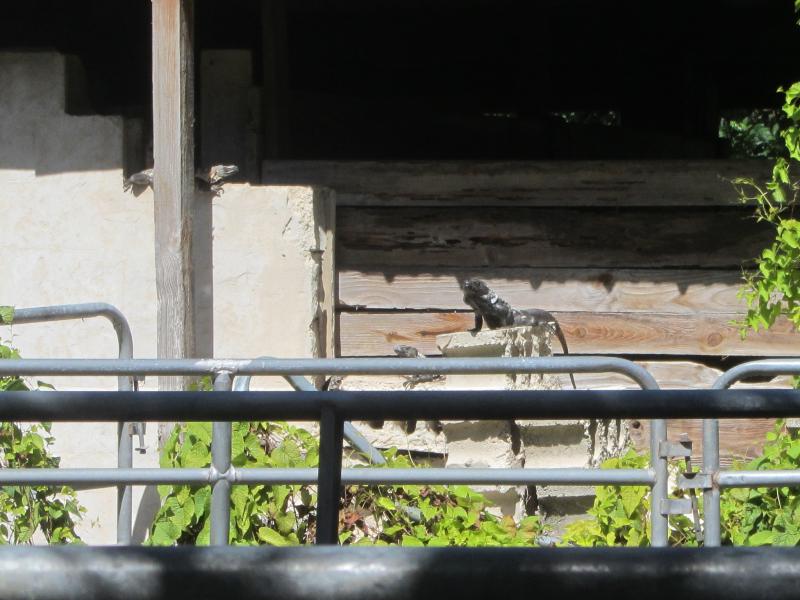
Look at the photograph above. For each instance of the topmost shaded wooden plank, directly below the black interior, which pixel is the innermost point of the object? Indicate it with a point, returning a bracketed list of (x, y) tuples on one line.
[(543, 183)]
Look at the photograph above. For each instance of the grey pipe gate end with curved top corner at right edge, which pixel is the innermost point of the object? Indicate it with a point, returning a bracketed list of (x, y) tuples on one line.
[(711, 494)]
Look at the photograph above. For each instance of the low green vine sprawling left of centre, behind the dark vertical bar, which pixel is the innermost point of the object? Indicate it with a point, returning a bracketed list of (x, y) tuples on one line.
[(280, 515)]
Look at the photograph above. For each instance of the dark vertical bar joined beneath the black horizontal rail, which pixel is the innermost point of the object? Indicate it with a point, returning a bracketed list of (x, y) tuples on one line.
[(329, 490)]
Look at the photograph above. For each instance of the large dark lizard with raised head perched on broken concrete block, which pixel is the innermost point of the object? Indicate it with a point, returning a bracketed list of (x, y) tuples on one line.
[(496, 312)]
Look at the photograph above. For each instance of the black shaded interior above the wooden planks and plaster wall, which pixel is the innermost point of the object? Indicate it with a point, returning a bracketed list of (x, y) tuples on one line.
[(465, 79)]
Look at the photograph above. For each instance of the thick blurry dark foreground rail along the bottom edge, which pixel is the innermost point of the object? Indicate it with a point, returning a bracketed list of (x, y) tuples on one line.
[(182, 573)]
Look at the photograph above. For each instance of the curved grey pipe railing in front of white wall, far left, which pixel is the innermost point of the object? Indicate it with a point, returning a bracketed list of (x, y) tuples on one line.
[(46, 314)]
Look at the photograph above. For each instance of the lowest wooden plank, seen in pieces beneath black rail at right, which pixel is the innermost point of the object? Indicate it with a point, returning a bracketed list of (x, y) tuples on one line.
[(739, 439)]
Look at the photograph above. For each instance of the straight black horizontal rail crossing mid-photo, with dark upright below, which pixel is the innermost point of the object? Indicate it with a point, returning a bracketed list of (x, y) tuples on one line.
[(420, 404)]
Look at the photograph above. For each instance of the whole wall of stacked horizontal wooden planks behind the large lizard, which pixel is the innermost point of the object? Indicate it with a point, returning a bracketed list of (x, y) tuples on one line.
[(634, 259)]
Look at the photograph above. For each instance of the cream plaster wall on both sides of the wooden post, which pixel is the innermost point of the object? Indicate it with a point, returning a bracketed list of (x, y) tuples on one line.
[(72, 235)]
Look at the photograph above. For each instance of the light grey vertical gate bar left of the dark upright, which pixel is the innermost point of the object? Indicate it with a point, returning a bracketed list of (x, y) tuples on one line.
[(221, 463)]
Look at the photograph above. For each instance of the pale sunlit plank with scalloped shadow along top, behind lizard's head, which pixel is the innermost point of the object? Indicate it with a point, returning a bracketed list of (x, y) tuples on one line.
[(637, 290)]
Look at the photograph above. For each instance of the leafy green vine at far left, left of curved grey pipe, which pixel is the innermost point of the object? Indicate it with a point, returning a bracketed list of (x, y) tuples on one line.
[(26, 511)]
